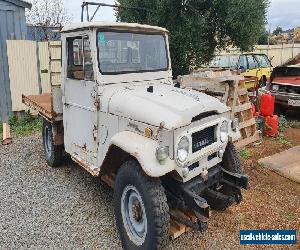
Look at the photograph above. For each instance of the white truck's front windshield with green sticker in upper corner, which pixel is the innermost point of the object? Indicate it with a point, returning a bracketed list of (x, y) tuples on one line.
[(120, 52)]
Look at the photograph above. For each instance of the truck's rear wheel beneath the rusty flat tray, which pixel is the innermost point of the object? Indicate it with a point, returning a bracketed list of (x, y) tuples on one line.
[(54, 154)]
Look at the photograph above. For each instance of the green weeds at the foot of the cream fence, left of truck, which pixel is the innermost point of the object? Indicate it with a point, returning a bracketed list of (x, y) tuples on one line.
[(28, 125)]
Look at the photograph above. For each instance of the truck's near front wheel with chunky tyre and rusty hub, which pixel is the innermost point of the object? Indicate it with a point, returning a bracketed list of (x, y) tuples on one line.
[(141, 209)]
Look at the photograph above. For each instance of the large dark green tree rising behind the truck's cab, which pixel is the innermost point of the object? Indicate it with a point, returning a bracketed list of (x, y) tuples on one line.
[(198, 27)]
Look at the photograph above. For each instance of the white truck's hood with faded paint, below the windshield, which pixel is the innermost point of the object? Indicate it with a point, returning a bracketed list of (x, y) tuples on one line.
[(174, 106)]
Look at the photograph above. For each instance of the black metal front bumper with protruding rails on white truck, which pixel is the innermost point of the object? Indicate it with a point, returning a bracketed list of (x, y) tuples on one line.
[(188, 195)]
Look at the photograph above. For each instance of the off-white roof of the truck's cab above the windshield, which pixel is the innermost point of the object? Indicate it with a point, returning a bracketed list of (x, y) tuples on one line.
[(113, 25)]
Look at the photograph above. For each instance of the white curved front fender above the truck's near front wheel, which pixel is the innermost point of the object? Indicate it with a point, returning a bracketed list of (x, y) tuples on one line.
[(143, 149)]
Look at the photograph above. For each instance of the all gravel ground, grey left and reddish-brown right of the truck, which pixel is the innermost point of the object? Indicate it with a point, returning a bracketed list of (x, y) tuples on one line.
[(55, 208)]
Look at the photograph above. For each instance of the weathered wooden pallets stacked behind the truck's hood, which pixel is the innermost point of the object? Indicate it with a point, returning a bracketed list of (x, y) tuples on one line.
[(230, 89)]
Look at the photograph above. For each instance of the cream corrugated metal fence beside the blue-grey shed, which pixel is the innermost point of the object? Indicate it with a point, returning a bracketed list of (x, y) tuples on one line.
[(29, 68)]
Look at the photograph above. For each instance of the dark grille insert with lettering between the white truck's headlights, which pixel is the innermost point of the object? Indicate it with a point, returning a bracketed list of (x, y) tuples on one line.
[(203, 138)]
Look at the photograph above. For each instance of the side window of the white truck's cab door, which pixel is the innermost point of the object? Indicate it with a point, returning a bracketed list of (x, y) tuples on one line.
[(80, 65)]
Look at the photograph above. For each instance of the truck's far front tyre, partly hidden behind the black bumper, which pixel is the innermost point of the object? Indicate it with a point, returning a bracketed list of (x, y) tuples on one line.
[(231, 162)]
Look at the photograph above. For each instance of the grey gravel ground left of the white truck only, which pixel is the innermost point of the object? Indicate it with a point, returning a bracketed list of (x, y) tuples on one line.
[(44, 207)]
